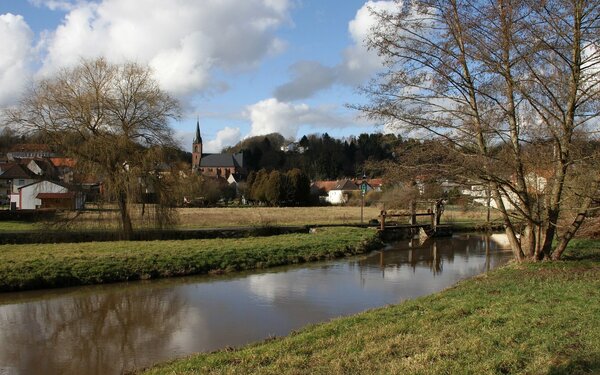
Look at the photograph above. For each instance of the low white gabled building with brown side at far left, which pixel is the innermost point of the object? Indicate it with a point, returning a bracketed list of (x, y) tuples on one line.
[(47, 194)]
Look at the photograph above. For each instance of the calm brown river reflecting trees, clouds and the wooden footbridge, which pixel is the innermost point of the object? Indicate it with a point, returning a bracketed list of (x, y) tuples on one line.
[(114, 328)]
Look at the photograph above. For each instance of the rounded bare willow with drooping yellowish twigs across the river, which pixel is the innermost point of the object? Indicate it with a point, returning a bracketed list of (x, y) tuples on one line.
[(112, 119)]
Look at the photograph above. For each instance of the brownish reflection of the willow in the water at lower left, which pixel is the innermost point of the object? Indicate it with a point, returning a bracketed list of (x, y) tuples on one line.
[(102, 334)]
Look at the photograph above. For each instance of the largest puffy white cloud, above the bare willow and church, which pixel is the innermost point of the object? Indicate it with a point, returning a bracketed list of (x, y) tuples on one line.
[(183, 40)]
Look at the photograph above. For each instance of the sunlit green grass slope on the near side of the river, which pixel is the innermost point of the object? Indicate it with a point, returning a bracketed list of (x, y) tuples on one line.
[(533, 318)]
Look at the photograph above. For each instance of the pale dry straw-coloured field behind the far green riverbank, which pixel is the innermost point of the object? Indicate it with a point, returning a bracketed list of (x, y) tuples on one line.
[(190, 218)]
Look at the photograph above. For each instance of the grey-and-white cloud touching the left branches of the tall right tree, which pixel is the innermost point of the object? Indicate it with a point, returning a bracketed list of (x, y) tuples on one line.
[(358, 63)]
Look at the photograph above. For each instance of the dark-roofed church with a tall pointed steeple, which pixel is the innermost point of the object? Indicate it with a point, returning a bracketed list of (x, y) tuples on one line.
[(227, 166)]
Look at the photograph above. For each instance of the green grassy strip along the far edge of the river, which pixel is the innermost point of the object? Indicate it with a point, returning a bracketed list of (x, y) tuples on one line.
[(56, 265)]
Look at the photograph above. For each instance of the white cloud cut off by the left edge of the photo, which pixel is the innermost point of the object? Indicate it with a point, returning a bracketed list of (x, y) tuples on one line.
[(15, 57)]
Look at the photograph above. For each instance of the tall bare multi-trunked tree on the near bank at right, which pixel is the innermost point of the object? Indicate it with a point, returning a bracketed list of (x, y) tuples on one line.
[(511, 88)]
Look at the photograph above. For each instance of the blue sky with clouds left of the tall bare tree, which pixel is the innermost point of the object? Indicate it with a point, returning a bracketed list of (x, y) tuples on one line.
[(242, 67)]
